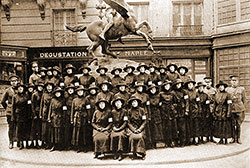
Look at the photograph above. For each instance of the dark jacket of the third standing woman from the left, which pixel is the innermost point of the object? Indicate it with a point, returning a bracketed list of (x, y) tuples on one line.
[(36, 102)]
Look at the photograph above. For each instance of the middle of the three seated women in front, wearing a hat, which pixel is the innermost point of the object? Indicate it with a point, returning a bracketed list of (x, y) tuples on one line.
[(118, 135)]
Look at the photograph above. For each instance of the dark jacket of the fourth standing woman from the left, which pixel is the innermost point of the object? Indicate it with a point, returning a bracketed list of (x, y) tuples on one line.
[(45, 104)]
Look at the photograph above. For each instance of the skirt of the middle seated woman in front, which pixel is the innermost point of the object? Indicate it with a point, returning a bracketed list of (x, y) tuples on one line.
[(117, 141)]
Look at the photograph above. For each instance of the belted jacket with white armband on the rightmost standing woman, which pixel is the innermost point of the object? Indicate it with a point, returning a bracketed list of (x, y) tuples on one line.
[(223, 108)]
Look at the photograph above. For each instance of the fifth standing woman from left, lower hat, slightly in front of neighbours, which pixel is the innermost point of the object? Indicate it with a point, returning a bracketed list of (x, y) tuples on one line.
[(55, 116)]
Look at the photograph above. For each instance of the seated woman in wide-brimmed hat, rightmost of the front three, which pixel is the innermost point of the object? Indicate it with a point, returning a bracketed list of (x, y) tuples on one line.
[(136, 132)]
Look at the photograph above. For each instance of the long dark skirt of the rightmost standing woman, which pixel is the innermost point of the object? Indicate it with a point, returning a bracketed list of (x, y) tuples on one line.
[(223, 128)]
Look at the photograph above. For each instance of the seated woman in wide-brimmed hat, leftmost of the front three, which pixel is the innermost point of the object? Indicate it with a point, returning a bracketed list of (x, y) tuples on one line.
[(101, 123)]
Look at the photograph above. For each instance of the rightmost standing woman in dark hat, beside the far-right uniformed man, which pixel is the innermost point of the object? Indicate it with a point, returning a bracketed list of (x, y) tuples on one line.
[(223, 114)]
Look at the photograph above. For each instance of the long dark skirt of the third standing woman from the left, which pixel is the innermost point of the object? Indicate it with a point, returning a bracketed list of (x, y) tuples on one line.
[(36, 129)]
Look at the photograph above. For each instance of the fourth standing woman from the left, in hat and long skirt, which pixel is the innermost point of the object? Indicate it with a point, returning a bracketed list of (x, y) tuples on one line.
[(44, 111)]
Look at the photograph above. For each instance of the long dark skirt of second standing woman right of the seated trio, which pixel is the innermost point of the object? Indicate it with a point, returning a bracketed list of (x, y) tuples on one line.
[(170, 130)]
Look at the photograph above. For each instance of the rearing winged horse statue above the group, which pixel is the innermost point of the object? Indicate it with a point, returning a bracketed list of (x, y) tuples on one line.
[(124, 24)]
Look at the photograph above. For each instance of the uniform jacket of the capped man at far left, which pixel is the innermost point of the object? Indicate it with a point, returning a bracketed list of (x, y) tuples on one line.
[(7, 100)]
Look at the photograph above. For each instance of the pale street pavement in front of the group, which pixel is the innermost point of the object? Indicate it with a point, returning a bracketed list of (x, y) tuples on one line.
[(208, 155)]
